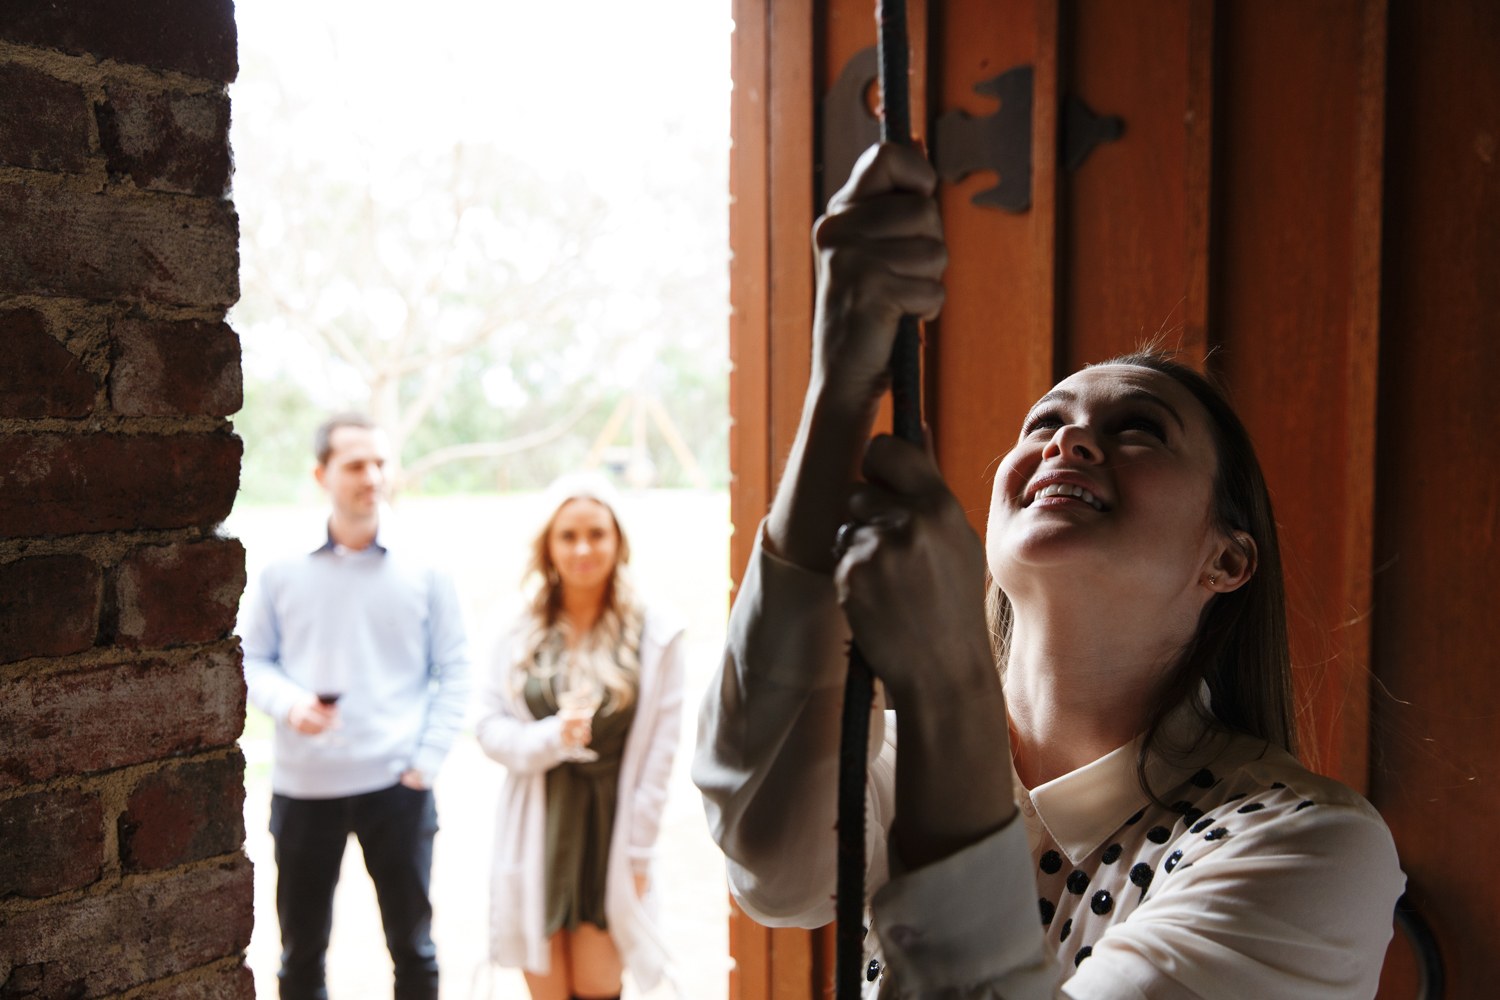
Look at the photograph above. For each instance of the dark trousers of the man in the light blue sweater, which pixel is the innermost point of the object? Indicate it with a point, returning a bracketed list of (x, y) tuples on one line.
[(395, 828)]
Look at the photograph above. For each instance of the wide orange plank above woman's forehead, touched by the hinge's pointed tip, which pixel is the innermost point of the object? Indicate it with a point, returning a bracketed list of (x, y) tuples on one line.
[(1124, 211)]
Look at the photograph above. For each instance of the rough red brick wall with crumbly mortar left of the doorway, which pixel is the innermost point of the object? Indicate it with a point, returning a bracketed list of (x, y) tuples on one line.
[(121, 689)]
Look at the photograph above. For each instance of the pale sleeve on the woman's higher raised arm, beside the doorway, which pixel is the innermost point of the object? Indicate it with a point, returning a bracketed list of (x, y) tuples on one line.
[(767, 758)]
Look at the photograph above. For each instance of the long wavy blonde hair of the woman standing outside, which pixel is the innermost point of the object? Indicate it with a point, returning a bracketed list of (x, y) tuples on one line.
[(610, 654)]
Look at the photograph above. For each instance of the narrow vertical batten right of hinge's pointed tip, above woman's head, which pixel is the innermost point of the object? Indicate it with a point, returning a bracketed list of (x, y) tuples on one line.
[(1198, 197)]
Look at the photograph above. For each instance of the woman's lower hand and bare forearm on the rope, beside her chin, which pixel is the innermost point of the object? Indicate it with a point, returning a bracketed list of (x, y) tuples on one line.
[(913, 585)]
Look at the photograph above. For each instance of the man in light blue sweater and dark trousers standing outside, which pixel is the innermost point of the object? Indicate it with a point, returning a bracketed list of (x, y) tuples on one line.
[(358, 651)]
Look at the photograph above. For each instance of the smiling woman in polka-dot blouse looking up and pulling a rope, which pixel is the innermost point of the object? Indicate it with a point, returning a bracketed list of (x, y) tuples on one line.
[(1096, 794)]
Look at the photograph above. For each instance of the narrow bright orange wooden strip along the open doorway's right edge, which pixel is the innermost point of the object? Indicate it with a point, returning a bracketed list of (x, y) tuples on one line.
[(749, 244)]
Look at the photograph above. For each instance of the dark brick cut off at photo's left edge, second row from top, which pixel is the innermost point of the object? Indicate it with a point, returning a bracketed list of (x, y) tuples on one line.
[(44, 122)]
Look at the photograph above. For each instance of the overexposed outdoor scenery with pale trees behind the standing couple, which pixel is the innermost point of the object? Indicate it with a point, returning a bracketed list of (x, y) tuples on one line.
[(500, 229)]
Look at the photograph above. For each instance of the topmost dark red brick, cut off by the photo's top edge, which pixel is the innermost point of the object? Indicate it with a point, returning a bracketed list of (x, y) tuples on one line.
[(191, 37)]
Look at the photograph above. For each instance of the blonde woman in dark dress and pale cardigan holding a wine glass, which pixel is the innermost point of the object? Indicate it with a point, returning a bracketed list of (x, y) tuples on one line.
[(583, 705)]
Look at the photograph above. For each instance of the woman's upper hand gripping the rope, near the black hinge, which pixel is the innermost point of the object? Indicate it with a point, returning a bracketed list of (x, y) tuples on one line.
[(880, 257)]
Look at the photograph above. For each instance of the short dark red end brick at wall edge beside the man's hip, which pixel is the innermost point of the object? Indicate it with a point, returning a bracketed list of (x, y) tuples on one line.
[(182, 815)]
